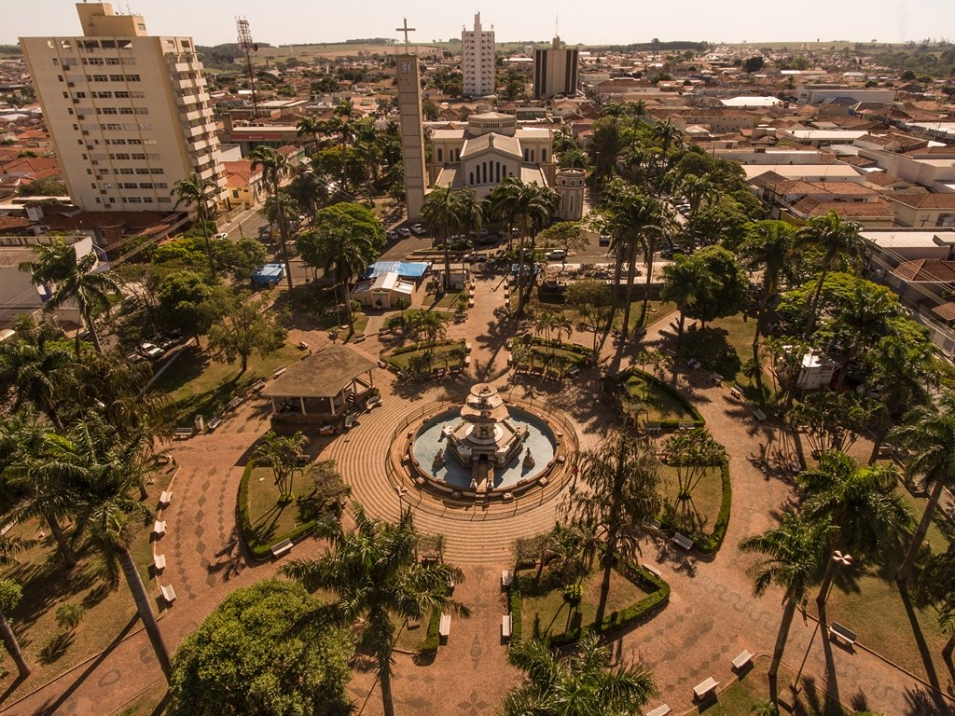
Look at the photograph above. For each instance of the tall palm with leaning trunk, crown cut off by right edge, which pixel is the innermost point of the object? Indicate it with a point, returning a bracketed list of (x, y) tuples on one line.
[(928, 434)]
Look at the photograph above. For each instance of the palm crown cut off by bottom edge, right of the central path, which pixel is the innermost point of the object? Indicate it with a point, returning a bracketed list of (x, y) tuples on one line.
[(584, 684)]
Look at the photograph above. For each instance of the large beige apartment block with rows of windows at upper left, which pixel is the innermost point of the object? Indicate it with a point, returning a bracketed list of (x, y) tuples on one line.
[(128, 112)]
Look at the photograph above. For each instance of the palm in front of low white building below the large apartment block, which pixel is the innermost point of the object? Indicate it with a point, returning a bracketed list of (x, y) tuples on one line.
[(73, 281)]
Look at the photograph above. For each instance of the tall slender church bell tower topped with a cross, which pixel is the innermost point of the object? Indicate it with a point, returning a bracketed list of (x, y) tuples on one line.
[(412, 129)]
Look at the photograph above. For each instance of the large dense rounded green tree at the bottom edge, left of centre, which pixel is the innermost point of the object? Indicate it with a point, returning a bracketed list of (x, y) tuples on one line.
[(267, 649)]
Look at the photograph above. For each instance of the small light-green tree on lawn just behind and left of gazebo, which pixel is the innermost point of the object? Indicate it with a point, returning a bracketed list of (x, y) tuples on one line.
[(246, 327)]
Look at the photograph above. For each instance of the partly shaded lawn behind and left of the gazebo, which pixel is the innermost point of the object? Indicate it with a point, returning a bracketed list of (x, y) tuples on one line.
[(197, 385)]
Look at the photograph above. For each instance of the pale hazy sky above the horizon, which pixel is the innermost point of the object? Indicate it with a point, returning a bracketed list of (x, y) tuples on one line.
[(596, 22)]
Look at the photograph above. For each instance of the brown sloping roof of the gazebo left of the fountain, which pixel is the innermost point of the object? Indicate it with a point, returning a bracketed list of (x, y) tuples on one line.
[(321, 375)]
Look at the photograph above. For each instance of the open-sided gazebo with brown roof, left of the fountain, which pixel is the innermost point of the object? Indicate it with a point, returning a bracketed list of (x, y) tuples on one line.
[(321, 389)]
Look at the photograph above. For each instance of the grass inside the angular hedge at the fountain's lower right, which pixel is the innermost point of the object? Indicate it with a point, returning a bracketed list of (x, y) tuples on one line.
[(545, 612)]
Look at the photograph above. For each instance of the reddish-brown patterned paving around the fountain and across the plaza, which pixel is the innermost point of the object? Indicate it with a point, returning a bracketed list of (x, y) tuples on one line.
[(711, 617)]
